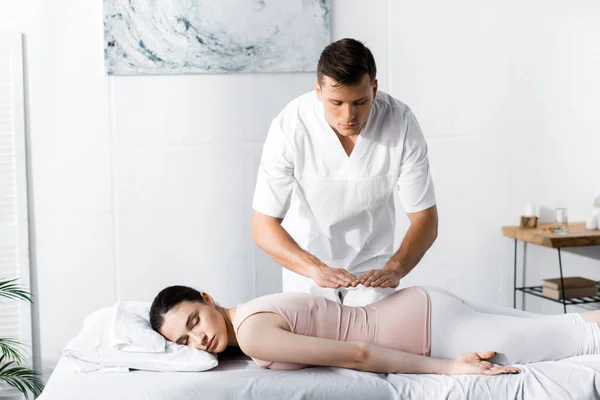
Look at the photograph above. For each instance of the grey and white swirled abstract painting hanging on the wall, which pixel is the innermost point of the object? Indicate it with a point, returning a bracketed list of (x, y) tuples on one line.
[(143, 37)]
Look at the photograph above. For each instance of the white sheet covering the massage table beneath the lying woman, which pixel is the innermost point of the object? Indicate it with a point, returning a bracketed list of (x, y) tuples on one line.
[(239, 378)]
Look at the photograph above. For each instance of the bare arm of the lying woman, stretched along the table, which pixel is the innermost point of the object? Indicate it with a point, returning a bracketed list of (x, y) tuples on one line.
[(263, 336)]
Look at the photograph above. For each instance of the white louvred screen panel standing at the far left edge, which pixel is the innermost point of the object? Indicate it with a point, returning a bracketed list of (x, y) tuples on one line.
[(15, 317)]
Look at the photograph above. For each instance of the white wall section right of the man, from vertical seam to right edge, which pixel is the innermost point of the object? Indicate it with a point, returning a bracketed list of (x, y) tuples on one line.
[(506, 93)]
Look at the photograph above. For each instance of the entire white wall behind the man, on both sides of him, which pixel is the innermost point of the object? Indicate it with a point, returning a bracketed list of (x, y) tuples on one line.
[(141, 182)]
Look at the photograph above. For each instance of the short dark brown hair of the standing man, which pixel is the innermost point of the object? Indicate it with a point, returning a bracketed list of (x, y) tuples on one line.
[(346, 61)]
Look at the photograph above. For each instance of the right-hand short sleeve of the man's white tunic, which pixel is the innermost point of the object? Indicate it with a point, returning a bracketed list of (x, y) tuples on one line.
[(415, 184)]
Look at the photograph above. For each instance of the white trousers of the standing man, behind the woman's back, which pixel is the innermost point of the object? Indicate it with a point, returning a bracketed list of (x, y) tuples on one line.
[(358, 296)]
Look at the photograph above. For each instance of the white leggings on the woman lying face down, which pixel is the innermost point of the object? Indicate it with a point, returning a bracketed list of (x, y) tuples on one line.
[(518, 337)]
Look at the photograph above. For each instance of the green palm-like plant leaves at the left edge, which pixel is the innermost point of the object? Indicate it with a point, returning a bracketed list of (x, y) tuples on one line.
[(12, 371)]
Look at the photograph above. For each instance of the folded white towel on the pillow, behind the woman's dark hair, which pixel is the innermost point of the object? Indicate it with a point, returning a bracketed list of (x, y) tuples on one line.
[(131, 330)]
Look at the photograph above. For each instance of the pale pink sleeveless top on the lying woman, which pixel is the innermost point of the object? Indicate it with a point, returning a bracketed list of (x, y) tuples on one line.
[(399, 321)]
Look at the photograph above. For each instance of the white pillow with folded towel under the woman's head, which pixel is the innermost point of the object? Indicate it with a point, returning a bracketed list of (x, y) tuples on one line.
[(93, 350)]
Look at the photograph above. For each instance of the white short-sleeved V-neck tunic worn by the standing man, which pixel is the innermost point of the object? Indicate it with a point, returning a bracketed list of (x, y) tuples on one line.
[(337, 207)]
